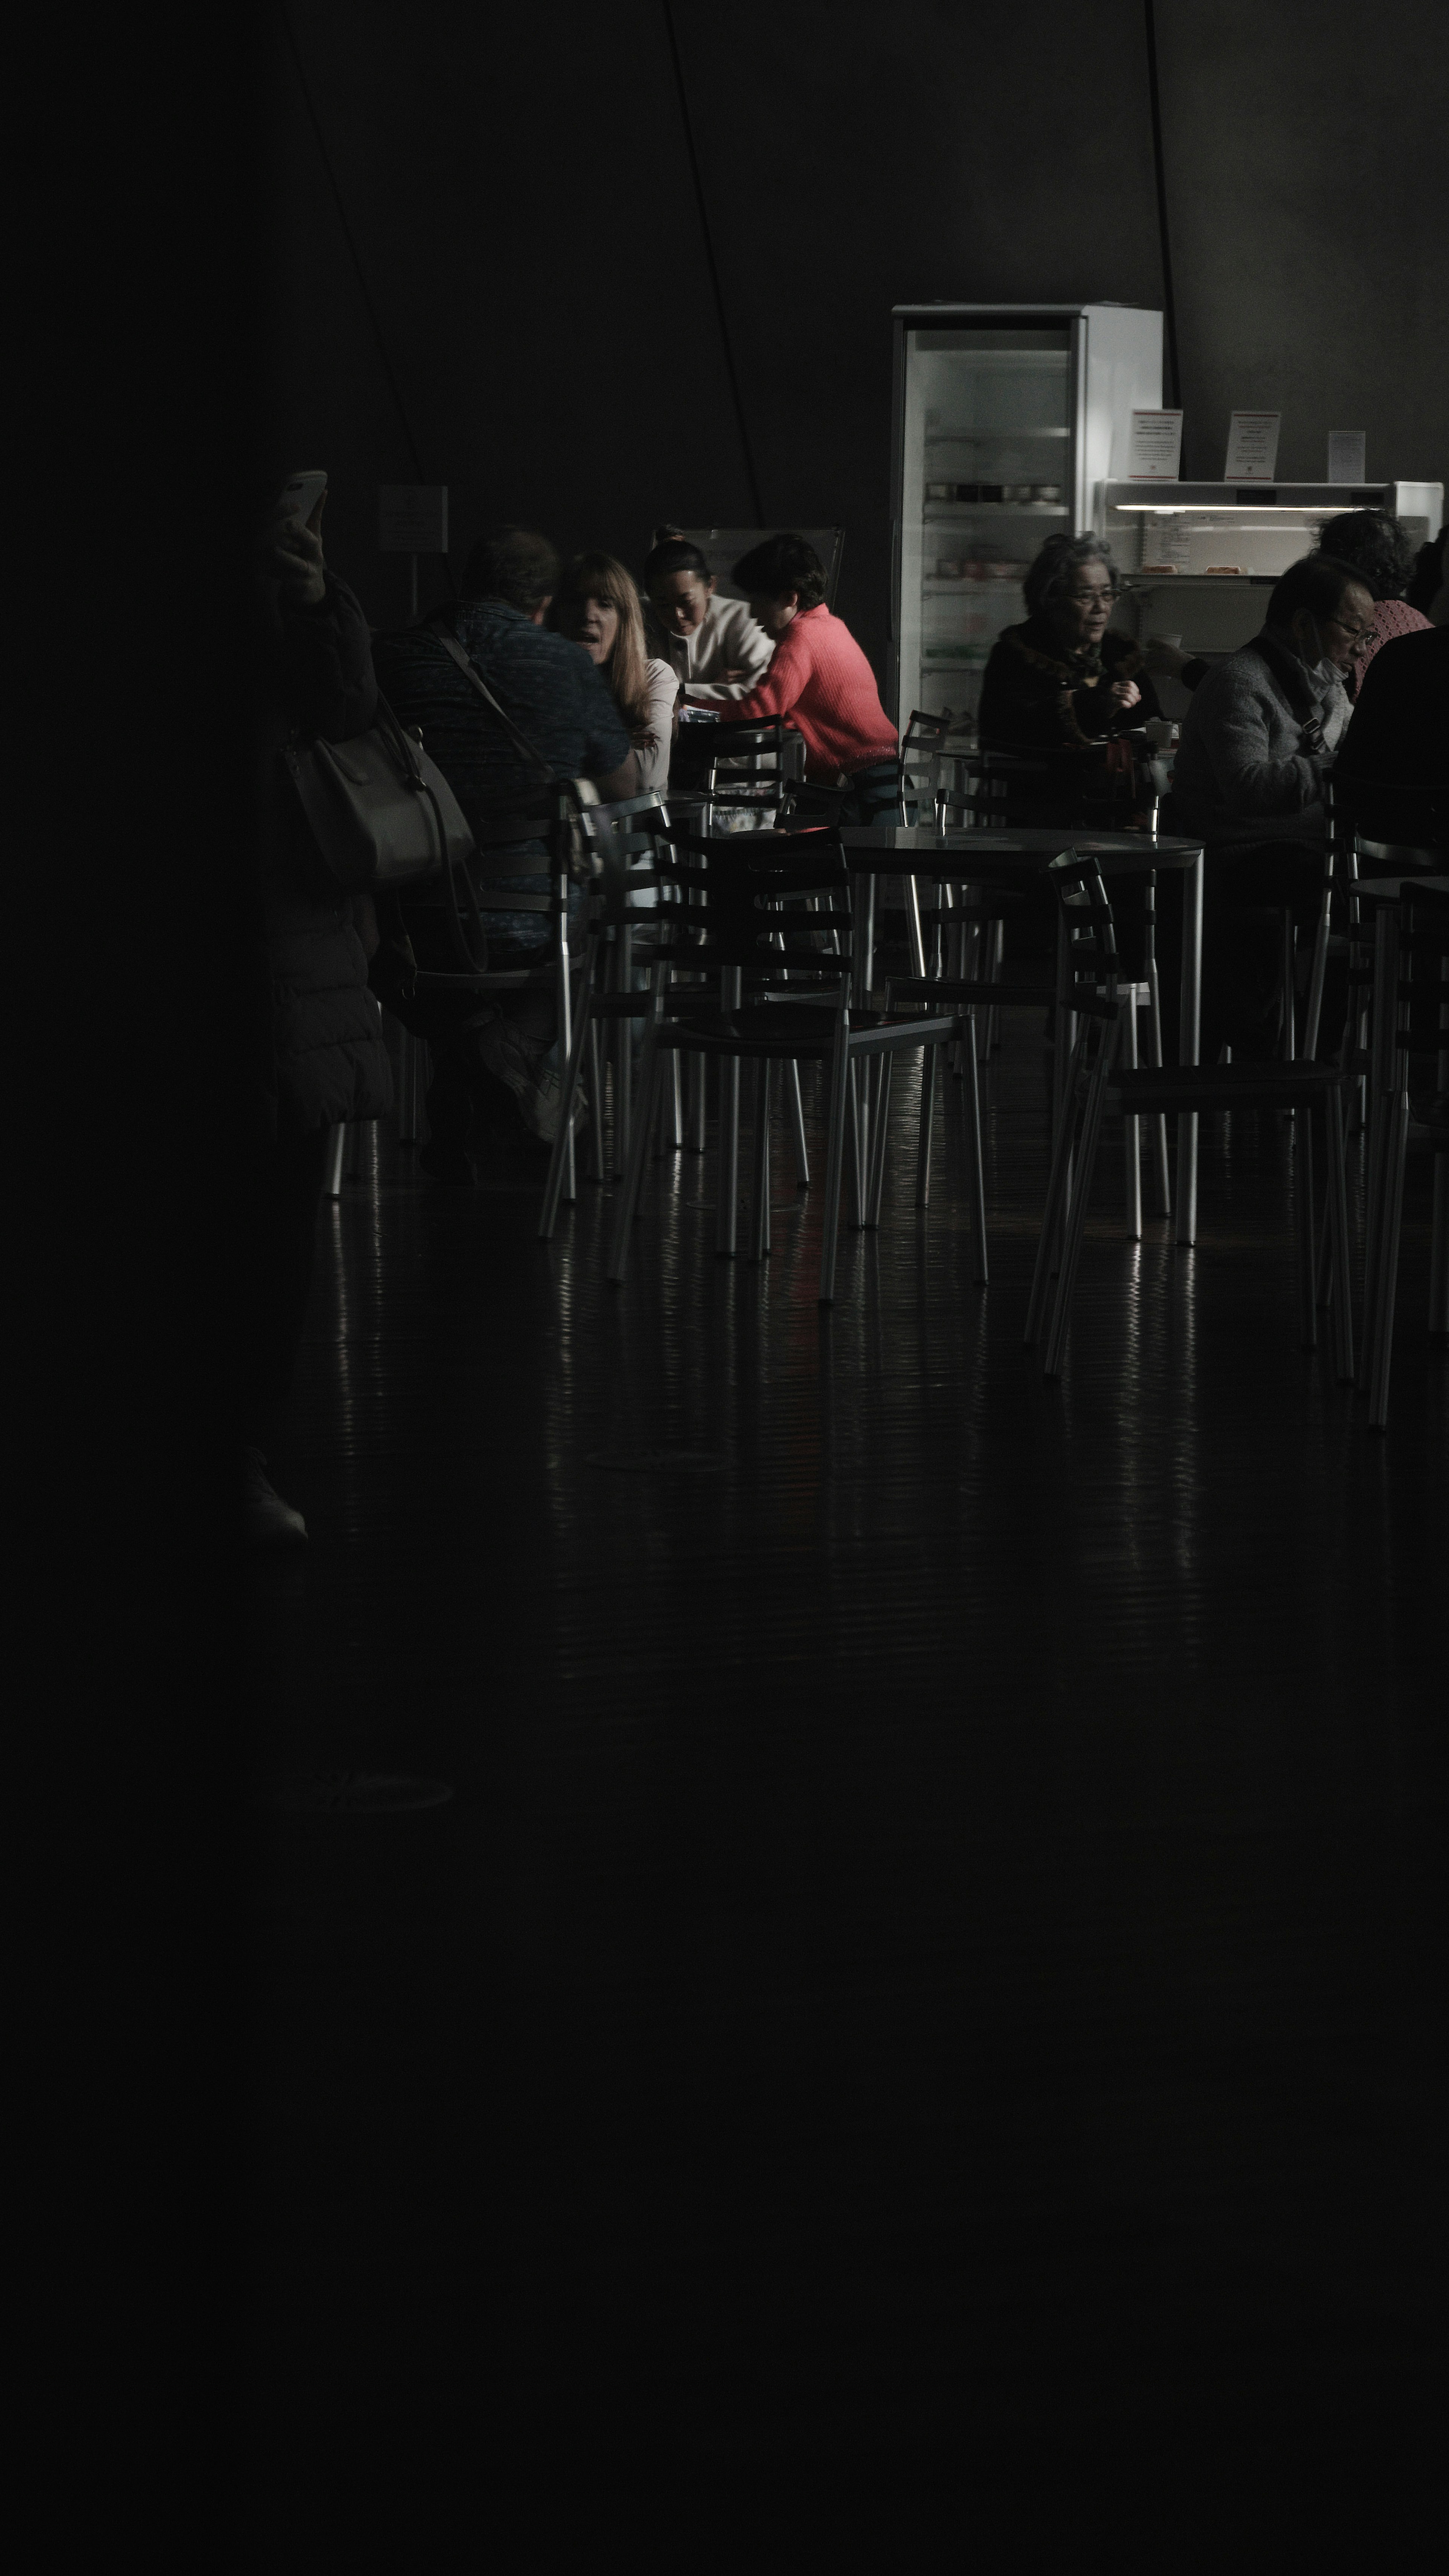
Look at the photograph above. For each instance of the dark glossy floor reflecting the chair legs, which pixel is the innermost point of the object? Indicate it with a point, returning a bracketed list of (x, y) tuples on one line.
[(932, 1954)]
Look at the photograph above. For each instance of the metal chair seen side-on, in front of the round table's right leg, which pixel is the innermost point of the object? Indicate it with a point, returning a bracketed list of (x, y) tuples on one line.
[(1097, 1083)]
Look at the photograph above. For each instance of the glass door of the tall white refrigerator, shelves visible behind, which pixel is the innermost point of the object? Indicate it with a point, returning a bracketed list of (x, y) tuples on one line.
[(989, 470)]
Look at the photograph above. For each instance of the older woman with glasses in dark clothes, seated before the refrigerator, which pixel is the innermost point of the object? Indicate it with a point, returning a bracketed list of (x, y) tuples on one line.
[(1066, 684)]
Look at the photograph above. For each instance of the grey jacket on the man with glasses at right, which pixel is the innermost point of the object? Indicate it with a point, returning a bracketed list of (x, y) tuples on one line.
[(1257, 743)]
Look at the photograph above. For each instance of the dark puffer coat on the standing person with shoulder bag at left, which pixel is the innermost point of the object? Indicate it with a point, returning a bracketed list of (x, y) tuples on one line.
[(326, 1057)]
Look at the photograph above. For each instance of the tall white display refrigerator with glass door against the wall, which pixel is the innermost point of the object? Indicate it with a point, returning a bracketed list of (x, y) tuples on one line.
[(1009, 424)]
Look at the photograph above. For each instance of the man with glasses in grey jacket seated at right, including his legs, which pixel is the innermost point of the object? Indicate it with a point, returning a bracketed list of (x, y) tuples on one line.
[(1254, 751)]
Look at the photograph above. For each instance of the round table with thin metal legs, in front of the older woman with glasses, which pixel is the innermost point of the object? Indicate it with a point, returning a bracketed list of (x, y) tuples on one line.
[(914, 851)]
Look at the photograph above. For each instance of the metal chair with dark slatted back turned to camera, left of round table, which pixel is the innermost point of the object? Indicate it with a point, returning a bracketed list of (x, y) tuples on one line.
[(777, 934)]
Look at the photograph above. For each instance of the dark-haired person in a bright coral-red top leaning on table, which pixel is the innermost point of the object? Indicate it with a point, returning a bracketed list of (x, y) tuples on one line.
[(819, 676)]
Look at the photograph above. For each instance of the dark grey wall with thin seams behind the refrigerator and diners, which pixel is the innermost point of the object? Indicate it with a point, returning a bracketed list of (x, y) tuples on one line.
[(491, 267)]
